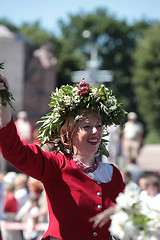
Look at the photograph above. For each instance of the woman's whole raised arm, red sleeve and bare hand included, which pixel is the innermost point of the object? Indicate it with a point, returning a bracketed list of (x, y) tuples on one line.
[(28, 159)]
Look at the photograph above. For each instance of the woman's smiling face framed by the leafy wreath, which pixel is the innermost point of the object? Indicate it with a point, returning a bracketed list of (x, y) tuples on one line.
[(87, 136)]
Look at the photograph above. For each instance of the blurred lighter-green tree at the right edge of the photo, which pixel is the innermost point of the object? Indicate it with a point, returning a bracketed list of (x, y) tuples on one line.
[(146, 79)]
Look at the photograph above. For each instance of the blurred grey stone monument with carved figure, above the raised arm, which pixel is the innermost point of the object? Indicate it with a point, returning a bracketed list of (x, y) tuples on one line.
[(31, 73)]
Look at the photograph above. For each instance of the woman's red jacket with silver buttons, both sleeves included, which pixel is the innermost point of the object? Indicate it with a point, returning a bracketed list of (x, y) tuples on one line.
[(72, 196)]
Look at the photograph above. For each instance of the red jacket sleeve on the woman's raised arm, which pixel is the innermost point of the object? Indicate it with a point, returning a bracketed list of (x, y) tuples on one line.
[(29, 159)]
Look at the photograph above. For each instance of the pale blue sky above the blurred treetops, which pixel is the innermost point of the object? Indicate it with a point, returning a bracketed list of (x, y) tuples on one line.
[(48, 12)]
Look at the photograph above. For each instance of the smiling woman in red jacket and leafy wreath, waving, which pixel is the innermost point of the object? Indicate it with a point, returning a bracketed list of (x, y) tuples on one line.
[(80, 189)]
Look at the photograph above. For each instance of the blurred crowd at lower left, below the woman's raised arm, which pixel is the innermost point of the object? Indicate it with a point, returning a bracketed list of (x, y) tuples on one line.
[(24, 201)]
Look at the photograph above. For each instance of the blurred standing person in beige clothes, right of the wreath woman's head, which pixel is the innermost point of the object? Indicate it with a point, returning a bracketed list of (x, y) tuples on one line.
[(132, 136)]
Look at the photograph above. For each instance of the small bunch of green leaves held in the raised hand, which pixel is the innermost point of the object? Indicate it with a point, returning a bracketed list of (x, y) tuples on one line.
[(6, 95)]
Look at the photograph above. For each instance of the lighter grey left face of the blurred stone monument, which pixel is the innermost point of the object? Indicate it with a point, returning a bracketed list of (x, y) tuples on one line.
[(12, 53)]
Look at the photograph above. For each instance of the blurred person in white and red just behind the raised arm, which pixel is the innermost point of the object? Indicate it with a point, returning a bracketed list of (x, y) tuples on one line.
[(24, 127)]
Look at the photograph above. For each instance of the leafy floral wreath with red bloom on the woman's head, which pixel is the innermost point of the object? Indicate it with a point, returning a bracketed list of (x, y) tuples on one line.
[(69, 101)]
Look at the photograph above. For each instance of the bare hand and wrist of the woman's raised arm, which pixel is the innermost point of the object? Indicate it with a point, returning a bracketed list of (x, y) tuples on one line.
[(5, 111)]
